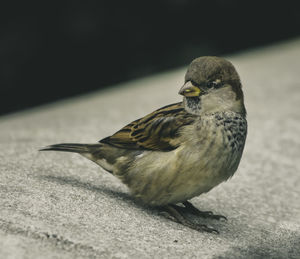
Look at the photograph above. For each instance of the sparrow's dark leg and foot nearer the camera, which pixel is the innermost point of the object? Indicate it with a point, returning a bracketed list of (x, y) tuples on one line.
[(171, 212)]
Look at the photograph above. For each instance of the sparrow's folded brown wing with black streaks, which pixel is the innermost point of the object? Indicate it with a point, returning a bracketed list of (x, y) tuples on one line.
[(156, 131)]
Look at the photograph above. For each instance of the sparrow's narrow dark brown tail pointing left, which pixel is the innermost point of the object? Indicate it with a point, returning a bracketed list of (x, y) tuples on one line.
[(71, 147)]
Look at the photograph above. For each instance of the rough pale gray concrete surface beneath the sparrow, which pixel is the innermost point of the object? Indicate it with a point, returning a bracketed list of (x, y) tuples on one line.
[(60, 205)]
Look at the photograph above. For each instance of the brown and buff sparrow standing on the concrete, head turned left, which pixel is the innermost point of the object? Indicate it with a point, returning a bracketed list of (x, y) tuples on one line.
[(181, 150)]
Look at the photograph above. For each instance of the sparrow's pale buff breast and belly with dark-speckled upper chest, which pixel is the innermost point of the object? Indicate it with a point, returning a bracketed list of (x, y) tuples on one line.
[(210, 153)]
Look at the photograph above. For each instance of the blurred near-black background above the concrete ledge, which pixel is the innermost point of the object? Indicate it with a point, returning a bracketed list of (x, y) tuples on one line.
[(54, 49)]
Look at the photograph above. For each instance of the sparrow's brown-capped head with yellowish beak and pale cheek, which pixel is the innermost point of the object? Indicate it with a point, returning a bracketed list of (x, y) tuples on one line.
[(212, 85)]
